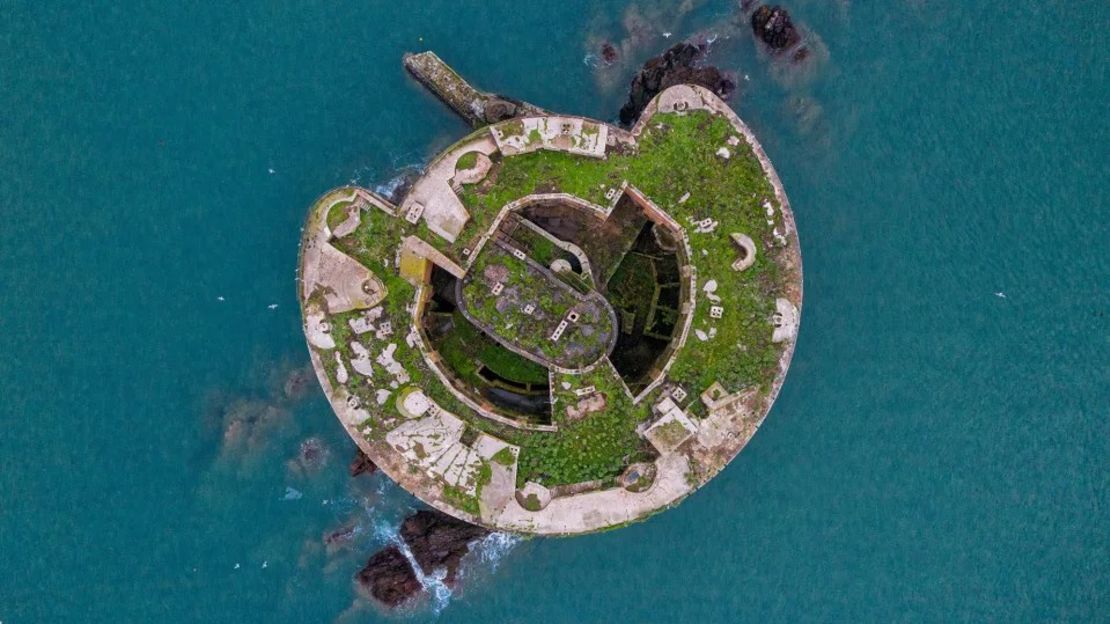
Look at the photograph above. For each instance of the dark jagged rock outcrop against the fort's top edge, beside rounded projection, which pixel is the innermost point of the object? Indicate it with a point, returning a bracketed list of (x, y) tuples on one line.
[(678, 66)]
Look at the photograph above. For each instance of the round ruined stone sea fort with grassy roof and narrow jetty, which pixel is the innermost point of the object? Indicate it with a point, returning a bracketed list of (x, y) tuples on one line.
[(563, 327)]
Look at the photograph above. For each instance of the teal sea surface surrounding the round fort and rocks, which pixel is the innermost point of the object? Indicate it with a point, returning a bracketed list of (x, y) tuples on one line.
[(941, 449)]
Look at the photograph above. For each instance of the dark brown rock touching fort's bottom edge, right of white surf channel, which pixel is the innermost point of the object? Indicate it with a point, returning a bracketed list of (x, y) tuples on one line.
[(439, 541)]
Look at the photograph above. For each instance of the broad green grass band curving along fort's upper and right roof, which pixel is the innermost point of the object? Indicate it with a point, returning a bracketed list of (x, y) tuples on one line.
[(673, 160)]
